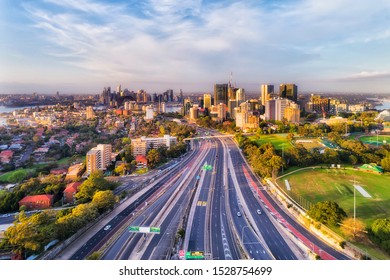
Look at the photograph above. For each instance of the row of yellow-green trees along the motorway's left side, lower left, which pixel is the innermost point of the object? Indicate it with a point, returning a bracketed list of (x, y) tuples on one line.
[(30, 234)]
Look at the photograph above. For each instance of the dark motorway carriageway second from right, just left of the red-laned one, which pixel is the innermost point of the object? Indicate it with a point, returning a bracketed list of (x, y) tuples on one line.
[(274, 240)]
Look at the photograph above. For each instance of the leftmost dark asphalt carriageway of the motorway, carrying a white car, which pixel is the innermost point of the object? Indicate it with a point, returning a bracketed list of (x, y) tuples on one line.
[(101, 236)]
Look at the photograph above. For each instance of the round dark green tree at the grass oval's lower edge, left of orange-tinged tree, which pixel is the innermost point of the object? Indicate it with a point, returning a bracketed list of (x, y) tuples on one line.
[(327, 212)]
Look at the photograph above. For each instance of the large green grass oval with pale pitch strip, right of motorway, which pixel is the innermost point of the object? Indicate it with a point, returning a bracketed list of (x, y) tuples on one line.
[(313, 185)]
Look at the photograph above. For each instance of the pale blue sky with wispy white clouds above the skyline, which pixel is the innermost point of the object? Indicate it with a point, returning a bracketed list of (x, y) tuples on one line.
[(81, 46)]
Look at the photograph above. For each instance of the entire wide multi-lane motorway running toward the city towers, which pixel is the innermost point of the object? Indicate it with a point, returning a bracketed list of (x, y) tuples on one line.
[(212, 195)]
